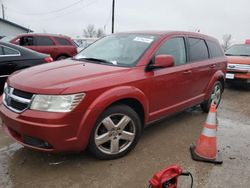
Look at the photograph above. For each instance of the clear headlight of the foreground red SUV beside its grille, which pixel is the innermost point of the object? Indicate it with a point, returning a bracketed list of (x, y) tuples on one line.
[(56, 103)]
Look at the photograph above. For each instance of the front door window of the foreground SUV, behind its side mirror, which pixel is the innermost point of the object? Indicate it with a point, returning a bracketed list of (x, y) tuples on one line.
[(176, 48)]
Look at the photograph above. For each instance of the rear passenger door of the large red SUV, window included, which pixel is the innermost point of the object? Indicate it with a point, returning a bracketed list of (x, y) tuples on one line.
[(203, 68)]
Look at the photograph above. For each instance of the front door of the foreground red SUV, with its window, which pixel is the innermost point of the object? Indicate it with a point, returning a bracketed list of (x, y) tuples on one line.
[(170, 87)]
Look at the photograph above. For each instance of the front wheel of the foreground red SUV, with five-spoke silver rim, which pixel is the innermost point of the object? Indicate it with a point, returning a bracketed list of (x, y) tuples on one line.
[(108, 139)]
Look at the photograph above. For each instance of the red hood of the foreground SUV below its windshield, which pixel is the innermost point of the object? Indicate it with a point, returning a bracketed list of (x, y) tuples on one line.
[(67, 76)]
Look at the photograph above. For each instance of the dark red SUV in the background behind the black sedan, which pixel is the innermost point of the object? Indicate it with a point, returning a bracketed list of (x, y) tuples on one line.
[(58, 46)]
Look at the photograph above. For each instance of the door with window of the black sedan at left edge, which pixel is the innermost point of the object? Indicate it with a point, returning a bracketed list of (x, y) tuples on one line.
[(7, 63)]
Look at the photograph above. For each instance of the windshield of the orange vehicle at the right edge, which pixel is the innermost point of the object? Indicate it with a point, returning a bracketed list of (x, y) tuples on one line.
[(238, 50)]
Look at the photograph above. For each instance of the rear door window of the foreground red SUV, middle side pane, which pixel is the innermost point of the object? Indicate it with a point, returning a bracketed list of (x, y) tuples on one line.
[(198, 49)]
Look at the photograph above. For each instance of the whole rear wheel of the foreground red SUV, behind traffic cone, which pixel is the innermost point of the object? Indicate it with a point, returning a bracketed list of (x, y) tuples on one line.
[(215, 95)]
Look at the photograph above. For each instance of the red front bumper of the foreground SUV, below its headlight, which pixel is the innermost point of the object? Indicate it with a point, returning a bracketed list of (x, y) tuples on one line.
[(50, 132)]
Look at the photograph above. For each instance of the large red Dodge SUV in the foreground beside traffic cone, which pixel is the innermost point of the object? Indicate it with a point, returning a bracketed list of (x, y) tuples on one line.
[(106, 95)]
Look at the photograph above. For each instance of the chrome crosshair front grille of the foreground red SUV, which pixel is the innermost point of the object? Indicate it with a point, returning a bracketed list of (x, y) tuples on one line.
[(16, 100)]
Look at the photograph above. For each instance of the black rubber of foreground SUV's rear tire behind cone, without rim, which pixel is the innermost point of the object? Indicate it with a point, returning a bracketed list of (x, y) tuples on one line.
[(205, 106)]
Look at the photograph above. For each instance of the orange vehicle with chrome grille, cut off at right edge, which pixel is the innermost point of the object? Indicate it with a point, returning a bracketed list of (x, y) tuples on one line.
[(238, 68)]
